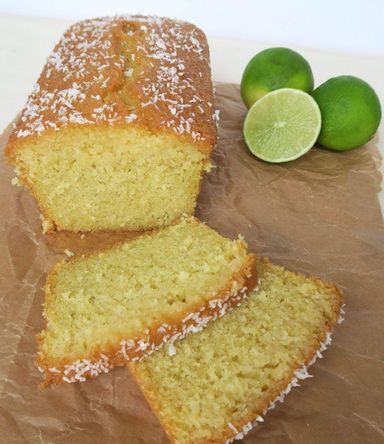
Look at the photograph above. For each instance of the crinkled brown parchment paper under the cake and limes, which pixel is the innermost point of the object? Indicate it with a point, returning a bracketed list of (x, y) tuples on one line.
[(319, 214)]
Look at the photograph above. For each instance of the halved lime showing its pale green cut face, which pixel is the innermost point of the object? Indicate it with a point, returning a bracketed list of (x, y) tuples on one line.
[(282, 126)]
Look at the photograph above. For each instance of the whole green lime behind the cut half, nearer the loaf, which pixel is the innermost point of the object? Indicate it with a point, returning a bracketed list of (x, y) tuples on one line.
[(272, 69)]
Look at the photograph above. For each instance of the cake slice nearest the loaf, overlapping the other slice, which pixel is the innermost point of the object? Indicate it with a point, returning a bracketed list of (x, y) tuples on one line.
[(113, 306)]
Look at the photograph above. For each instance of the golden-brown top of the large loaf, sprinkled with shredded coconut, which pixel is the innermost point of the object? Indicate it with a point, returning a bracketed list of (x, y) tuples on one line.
[(147, 71)]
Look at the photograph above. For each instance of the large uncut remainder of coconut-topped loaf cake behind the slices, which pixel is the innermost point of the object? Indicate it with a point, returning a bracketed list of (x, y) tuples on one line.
[(119, 127)]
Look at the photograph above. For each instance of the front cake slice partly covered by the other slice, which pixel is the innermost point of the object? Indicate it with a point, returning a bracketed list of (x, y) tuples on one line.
[(223, 379)]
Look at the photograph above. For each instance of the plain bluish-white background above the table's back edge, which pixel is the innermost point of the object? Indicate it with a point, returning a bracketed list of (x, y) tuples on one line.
[(352, 26)]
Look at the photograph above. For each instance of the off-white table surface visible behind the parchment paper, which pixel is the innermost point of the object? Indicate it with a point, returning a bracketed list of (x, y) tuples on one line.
[(25, 43)]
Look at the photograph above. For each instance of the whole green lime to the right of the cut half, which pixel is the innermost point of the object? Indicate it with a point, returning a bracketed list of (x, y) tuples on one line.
[(350, 111)]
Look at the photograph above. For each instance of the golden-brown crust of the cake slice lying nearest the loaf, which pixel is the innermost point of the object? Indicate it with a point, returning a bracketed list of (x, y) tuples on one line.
[(133, 349)]
